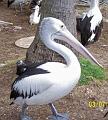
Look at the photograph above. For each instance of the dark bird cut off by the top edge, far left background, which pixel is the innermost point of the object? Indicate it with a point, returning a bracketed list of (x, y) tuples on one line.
[(16, 3)]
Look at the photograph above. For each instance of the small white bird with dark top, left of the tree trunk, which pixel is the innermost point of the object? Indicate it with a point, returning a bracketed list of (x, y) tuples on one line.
[(35, 9)]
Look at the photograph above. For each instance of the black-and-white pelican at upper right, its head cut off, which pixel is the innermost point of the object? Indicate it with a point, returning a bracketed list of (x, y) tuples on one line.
[(91, 24)]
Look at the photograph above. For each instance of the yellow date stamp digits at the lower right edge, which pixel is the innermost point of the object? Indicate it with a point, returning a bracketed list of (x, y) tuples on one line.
[(96, 104)]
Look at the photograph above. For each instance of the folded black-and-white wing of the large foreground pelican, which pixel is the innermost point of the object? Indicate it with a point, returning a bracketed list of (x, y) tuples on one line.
[(27, 85)]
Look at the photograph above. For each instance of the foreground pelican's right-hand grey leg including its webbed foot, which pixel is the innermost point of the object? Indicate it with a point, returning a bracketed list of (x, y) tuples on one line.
[(56, 115)]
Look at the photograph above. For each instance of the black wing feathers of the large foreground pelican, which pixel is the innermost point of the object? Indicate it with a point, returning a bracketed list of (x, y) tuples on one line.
[(29, 72)]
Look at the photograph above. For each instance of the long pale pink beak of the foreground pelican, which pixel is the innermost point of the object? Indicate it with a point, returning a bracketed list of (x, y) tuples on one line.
[(66, 36)]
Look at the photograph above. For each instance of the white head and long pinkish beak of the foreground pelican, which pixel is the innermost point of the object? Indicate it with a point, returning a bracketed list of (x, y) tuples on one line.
[(52, 28)]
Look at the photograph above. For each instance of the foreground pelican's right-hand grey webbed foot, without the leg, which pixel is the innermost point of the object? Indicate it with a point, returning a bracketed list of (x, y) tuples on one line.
[(59, 116)]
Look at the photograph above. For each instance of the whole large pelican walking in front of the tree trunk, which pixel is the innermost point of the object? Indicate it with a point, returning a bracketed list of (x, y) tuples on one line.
[(50, 81)]
